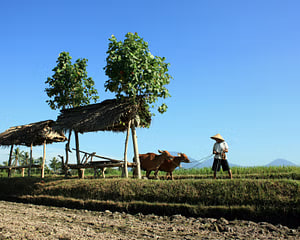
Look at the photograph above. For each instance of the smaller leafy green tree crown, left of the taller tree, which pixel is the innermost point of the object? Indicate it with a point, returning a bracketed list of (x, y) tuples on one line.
[(69, 86)]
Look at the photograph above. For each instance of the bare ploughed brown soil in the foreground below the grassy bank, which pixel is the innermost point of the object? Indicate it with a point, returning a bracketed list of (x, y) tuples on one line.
[(27, 221)]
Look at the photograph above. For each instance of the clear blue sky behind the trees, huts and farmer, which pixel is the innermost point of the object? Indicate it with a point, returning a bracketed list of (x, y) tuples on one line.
[(235, 68)]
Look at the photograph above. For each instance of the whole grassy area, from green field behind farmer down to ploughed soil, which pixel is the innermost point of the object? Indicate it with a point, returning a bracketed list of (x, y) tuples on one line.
[(270, 194)]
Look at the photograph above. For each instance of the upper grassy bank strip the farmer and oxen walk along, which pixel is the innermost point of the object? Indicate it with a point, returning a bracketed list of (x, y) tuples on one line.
[(205, 192)]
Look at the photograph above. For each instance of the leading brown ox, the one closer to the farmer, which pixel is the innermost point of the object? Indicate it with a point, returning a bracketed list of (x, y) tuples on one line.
[(169, 166)]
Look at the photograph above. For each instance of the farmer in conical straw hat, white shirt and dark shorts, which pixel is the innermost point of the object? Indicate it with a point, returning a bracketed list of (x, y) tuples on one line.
[(220, 159)]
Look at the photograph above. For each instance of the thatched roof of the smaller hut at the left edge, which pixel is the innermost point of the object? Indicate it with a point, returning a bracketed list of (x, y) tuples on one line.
[(33, 133)]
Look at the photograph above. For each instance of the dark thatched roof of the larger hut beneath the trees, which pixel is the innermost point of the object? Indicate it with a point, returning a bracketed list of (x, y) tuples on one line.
[(109, 115)]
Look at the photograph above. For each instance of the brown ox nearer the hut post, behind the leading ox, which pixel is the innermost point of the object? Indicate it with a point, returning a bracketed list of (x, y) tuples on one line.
[(151, 161)]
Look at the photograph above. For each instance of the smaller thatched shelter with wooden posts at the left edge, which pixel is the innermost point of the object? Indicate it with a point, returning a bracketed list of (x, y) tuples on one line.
[(33, 134)]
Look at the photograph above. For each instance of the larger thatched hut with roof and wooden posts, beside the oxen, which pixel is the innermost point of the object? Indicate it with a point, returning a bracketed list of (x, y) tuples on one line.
[(110, 115)]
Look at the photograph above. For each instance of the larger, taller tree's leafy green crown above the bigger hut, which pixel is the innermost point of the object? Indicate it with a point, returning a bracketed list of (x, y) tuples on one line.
[(135, 73)]
